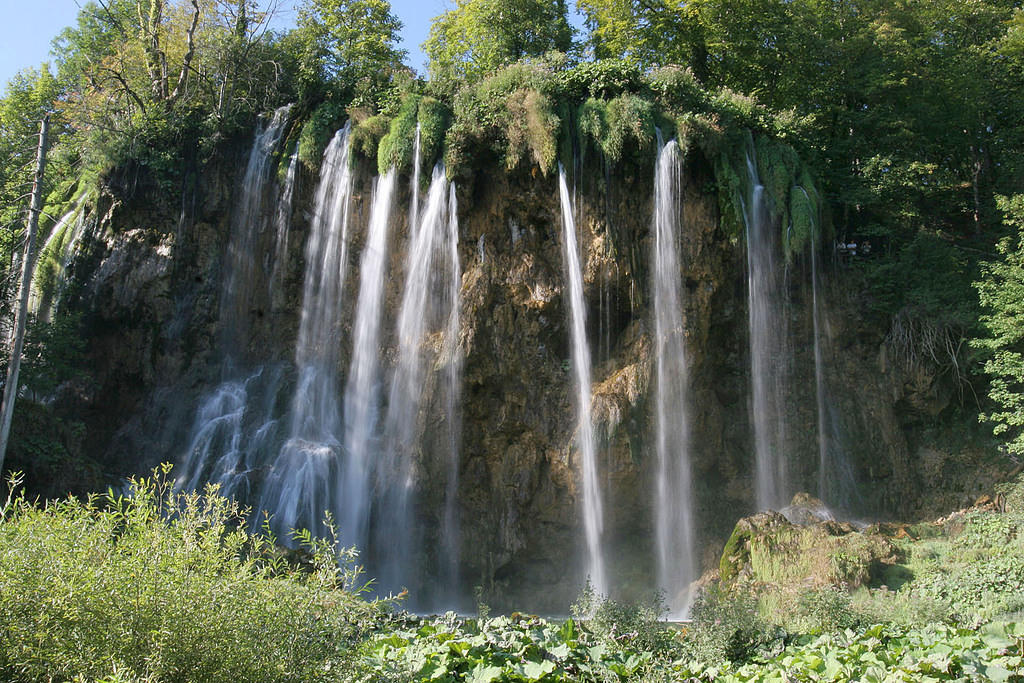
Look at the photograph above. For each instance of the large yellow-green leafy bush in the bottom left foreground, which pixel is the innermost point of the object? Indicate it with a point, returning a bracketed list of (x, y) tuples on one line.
[(159, 585)]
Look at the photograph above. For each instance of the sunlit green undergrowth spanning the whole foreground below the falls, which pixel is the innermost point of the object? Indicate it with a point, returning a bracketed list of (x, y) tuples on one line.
[(155, 585)]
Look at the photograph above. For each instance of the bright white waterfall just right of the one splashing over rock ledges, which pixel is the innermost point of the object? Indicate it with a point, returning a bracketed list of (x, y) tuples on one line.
[(364, 374)]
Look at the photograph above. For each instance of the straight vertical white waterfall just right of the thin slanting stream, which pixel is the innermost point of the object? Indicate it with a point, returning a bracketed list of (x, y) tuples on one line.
[(677, 566)]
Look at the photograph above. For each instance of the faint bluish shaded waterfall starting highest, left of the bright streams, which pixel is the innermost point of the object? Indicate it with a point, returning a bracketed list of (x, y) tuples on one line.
[(248, 222)]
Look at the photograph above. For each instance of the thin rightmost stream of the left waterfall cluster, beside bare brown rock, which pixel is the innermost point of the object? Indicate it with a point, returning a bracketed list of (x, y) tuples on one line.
[(450, 523)]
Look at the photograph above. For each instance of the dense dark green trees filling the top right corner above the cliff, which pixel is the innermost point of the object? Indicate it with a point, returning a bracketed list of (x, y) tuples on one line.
[(903, 102)]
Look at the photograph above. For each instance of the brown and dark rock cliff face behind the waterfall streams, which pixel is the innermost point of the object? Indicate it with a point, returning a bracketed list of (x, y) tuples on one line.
[(150, 282)]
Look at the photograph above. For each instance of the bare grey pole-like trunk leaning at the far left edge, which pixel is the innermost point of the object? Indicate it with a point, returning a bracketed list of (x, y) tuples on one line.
[(28, 266)]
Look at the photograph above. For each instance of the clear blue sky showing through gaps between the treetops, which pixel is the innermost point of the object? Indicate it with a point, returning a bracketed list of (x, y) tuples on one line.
[(27, 27)]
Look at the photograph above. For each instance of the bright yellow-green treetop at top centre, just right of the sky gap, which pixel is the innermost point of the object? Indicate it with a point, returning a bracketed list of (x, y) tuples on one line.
[(482, 36)]
